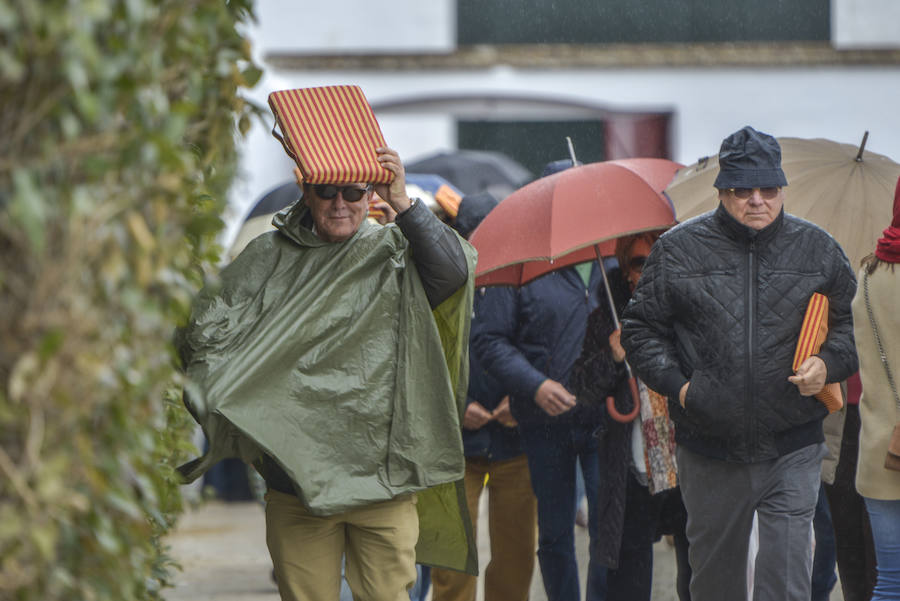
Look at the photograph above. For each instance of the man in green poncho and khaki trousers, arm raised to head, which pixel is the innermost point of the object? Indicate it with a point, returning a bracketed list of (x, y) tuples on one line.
[(335, 368)]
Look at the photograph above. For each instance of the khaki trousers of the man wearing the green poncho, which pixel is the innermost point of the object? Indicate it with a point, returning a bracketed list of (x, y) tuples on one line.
[(379, 542)]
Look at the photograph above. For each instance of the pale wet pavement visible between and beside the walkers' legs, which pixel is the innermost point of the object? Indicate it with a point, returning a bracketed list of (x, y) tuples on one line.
[(222, 551)]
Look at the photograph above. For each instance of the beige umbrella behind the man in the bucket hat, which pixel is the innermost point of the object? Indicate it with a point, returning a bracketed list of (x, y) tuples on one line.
[(842, 188)]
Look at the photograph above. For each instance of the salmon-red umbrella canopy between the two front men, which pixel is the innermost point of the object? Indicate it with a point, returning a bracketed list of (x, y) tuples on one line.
[(569, 217)]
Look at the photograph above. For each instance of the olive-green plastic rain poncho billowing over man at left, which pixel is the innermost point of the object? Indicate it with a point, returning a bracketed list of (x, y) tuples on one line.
[(328, 358)]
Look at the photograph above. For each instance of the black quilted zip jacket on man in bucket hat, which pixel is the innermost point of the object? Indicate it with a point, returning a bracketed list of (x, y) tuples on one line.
[(721, 304)]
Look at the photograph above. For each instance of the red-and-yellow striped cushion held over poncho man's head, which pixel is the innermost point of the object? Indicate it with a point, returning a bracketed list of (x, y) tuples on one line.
[(331, 133)]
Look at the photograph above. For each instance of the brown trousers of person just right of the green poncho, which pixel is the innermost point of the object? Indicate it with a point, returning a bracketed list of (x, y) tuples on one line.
[(512, 524)]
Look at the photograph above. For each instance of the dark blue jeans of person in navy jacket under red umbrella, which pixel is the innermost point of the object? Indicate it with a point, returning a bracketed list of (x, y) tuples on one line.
[(552, 450)]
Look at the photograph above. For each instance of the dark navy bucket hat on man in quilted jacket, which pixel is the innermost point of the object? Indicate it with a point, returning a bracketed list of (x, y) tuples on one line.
[(750, 159)]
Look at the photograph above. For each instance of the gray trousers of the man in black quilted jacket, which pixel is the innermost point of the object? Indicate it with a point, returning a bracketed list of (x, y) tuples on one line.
[(720, 499)]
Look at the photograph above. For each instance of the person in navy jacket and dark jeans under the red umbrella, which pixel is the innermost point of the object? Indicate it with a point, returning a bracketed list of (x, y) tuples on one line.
[(529, 345)]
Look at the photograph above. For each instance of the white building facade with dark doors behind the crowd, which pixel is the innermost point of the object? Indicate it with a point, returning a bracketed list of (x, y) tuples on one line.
[(648, 78)]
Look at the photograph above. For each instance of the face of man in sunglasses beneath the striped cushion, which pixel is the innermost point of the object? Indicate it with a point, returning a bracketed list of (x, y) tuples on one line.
[(336, 217)]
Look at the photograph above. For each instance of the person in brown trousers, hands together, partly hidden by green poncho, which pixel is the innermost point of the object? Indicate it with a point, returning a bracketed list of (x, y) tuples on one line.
[(494, 460)]
